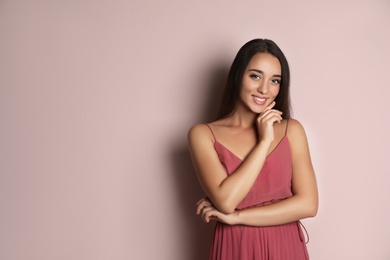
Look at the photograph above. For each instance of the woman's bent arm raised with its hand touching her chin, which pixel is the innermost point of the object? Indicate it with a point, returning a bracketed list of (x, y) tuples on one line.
[(226, 192)]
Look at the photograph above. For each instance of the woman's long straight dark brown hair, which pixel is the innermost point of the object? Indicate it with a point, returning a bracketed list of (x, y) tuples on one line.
[(234, 79)]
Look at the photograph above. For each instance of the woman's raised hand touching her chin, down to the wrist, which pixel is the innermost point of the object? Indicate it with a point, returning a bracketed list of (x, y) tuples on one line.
[(265, 123)]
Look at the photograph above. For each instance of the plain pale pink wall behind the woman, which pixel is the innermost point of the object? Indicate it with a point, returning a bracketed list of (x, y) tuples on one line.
[(96, 98)]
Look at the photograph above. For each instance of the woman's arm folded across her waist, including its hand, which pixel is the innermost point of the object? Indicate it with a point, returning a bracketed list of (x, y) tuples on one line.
[(303, 203)]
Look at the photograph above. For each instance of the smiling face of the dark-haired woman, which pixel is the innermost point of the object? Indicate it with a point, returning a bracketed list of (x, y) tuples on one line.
[(260, 82)]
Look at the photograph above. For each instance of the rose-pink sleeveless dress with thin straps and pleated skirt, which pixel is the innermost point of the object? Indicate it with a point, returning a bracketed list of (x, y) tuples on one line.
[(240, 242)]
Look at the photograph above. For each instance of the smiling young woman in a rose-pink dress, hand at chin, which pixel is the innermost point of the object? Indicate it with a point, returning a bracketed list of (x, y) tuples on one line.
[(254, 164)]
